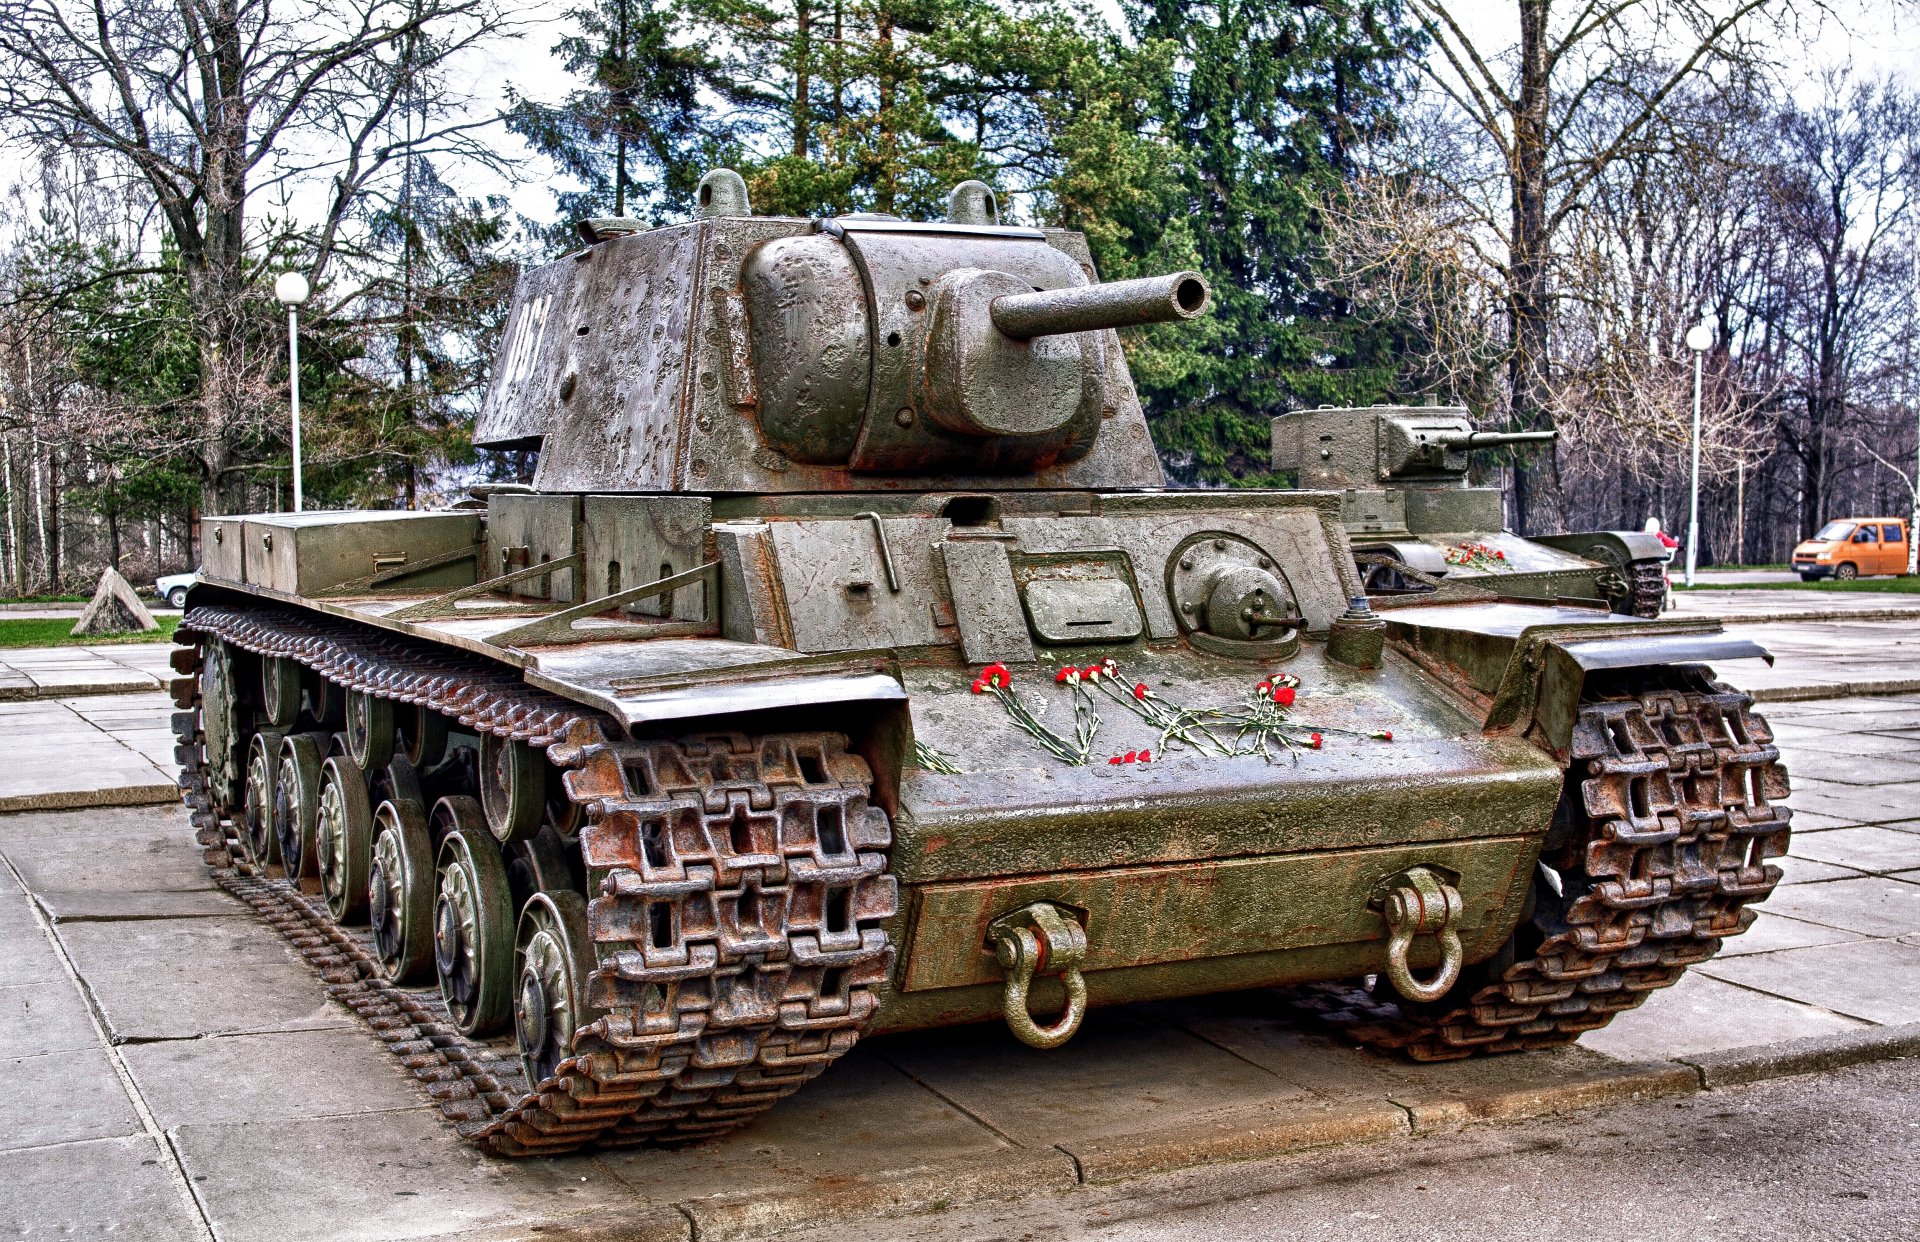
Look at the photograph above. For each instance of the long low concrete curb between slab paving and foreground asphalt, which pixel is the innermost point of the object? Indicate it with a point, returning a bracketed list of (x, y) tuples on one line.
[(1259, 1134)]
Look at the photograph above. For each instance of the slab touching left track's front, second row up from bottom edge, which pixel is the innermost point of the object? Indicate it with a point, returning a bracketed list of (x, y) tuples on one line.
[(281, 1074)]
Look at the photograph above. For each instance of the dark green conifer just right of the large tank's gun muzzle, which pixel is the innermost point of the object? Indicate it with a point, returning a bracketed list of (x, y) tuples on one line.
[(1266, 108)]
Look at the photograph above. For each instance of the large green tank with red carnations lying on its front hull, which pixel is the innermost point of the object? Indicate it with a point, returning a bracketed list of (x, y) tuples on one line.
[(848, 667)]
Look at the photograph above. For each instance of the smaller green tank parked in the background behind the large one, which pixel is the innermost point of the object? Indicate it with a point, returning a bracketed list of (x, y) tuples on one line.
[(1416, 519)]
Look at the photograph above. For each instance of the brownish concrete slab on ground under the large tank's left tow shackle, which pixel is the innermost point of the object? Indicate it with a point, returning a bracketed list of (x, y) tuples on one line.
[(1122, 1078)]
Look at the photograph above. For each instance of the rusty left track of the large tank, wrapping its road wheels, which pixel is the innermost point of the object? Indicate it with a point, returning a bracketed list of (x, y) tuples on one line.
[(723, 980)]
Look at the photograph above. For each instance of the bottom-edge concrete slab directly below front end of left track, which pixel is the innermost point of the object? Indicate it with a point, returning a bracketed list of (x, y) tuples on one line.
[(402, 1176)]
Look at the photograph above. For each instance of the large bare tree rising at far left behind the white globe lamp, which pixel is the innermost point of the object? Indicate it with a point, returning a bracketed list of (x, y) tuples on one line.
[(214, 103)]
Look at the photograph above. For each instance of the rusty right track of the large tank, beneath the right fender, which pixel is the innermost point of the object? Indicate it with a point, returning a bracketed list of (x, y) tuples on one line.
[(1658, 851)]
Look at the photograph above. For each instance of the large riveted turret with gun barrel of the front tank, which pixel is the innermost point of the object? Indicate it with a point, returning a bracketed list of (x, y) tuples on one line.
[(748, 354)]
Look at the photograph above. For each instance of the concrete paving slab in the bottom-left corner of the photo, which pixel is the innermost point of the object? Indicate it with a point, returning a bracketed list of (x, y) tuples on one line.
[(105, 1189)]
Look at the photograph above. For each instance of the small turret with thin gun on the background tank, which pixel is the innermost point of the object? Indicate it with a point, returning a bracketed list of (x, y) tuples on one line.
[(1387, 444)]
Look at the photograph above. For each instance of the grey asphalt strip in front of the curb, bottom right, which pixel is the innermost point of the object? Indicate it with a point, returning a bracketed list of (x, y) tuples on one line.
[(1800, 1158)]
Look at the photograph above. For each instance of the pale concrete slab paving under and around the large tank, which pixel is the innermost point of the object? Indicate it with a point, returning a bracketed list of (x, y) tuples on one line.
[(174, 1072)]
